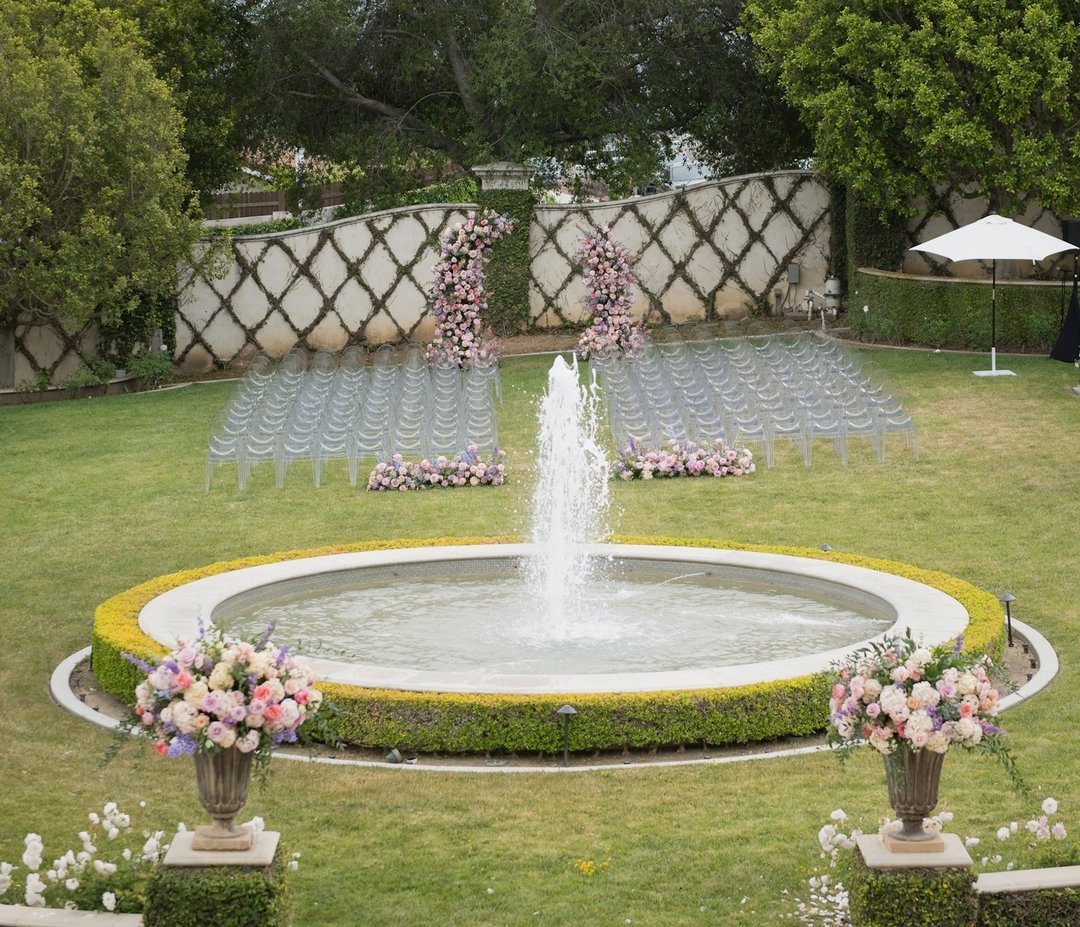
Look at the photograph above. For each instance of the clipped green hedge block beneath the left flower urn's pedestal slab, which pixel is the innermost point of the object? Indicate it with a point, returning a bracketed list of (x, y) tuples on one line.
[(222, 896)]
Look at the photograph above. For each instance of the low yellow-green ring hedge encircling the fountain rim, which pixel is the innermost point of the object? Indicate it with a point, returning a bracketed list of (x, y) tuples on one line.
[(456, 723)]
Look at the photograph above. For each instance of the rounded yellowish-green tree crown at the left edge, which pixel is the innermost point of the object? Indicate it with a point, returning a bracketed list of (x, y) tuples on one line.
[(94, 219)]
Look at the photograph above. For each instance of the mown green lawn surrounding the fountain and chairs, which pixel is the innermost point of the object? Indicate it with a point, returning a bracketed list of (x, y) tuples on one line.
[(102, 494)]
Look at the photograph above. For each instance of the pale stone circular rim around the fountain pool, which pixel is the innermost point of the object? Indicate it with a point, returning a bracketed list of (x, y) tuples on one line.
[(929, 614)]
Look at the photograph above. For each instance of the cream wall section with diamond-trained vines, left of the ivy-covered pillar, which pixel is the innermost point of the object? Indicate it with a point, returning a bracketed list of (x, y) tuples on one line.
[(362, 280)]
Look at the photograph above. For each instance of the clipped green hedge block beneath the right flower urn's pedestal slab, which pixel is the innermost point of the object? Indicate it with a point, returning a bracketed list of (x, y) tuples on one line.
[(909, 898)]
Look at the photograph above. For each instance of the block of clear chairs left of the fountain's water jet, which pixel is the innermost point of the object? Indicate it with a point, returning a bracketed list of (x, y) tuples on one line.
[(353, 407)]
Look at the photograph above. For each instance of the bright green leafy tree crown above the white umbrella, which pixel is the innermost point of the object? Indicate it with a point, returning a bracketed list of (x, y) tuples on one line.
[(910, 97)]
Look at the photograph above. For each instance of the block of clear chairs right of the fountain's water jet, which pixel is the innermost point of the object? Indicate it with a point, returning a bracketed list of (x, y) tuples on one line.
[(690, 385)]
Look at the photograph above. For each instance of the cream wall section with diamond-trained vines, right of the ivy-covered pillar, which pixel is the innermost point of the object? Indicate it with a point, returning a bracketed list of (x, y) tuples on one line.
[(707, 252)]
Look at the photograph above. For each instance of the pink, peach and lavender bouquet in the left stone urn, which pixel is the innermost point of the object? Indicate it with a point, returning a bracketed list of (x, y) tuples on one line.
[(214, 693)]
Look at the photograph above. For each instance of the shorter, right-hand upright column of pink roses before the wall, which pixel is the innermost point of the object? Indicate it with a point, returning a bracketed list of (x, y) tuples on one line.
[(607, 270)]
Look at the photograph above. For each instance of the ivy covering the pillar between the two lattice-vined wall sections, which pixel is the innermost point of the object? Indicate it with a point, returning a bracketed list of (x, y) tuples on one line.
[(507, 272)]
